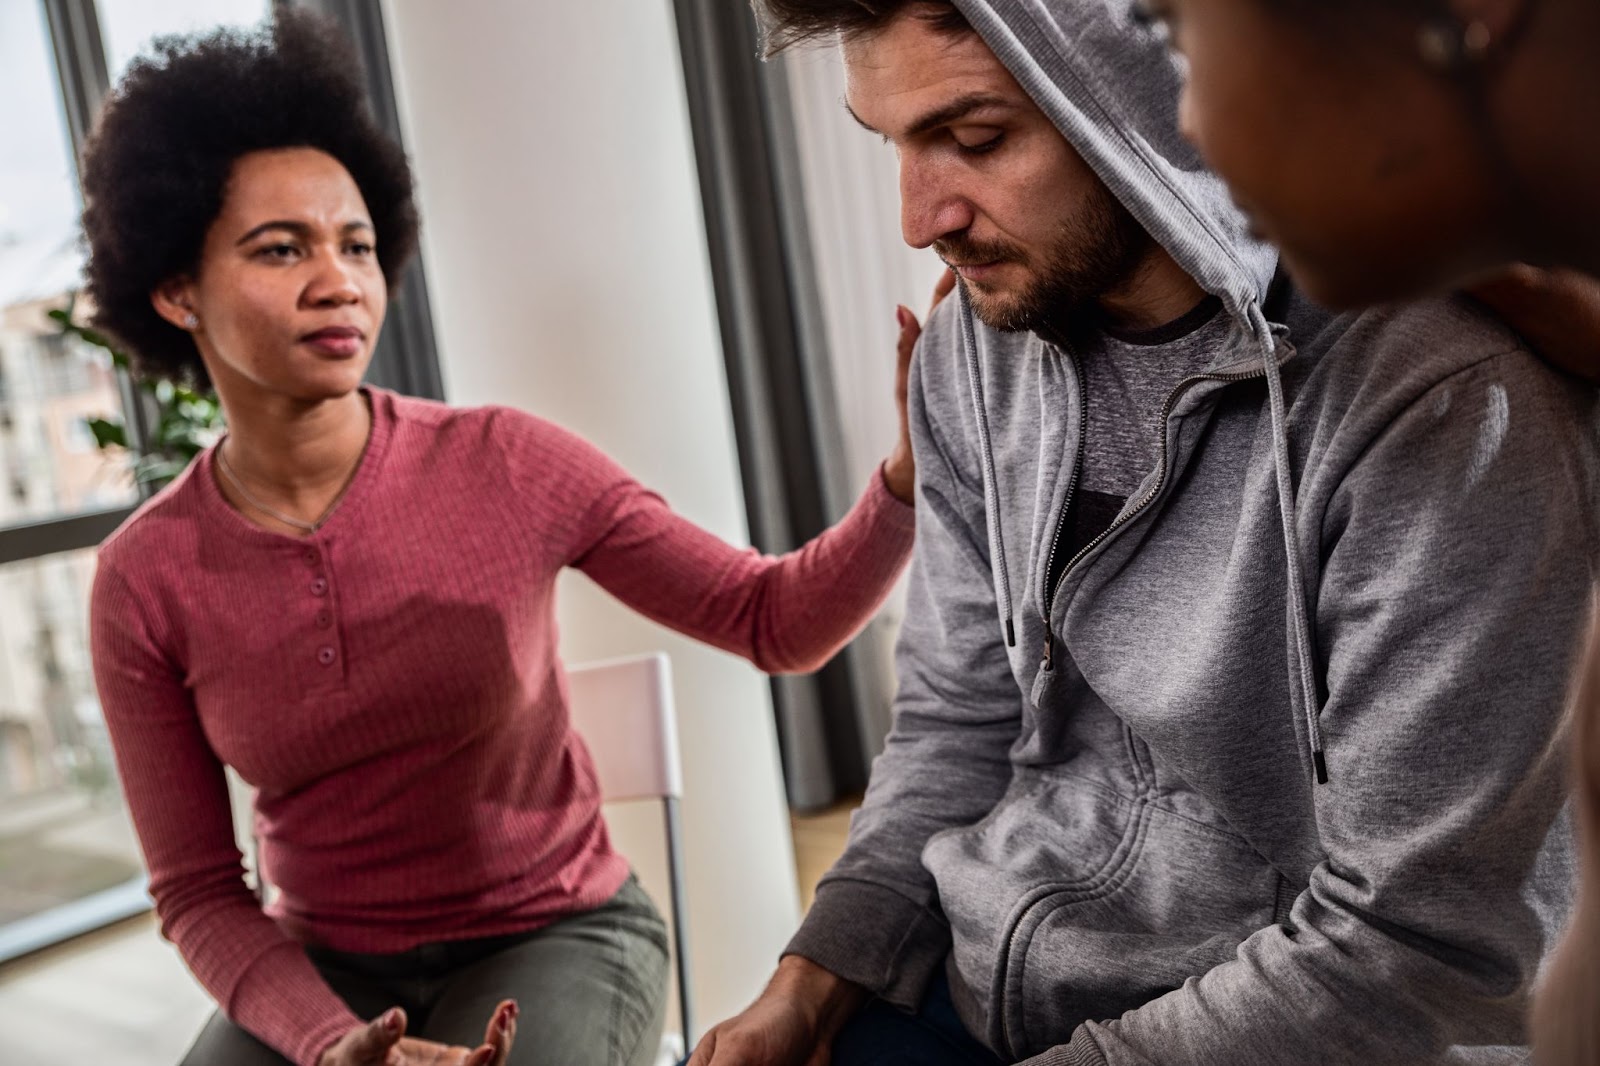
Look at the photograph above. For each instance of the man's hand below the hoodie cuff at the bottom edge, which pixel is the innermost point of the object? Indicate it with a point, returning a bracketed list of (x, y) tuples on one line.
[(793, 1024)]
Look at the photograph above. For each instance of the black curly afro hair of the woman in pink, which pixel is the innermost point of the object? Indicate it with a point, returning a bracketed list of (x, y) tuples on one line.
[(158, 166)]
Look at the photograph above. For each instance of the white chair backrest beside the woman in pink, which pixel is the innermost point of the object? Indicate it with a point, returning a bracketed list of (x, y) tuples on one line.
[(623, 710)]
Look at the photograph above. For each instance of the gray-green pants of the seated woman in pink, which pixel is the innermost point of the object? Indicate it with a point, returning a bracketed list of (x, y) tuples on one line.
[(591, 992)]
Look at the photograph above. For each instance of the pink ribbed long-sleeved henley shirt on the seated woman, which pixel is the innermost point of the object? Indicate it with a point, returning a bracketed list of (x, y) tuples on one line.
[(391, 687)]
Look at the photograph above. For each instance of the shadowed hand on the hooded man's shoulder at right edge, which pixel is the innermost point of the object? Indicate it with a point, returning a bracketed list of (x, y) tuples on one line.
[(1556, 311)]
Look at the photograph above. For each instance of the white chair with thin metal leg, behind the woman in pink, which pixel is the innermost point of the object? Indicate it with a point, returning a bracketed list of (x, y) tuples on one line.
[(625, 713)]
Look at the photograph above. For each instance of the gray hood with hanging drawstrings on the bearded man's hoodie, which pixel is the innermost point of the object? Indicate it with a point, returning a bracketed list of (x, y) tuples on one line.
[(1111, 87)]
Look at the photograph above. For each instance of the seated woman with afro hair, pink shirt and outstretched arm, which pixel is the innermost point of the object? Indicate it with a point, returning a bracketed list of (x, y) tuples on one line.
[(351, 603)]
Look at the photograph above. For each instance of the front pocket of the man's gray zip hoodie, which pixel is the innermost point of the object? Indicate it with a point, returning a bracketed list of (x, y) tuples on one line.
[(1182, 905)]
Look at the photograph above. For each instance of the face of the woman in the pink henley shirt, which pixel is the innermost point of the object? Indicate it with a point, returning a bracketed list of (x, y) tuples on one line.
[(289, 292)]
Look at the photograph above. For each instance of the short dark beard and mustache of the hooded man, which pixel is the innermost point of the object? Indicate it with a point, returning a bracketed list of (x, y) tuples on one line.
[(1097, 252)]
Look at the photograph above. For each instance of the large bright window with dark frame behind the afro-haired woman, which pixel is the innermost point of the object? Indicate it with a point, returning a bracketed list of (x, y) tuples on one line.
[(68, 856)]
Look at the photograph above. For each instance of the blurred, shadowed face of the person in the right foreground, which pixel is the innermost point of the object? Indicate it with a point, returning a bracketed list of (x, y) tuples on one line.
[(1346, 150)]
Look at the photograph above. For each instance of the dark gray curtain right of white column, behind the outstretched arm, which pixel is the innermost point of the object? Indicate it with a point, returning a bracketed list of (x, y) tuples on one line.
[(830, 724)]
